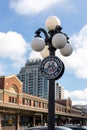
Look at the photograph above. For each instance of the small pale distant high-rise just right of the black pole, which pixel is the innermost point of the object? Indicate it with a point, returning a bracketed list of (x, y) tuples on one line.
[(59, 91)]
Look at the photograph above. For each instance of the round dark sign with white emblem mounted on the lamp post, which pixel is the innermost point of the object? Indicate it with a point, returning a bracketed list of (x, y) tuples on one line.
[(52, 67)]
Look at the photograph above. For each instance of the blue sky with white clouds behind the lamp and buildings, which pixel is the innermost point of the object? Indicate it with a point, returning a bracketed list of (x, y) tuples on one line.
[(19, 19)]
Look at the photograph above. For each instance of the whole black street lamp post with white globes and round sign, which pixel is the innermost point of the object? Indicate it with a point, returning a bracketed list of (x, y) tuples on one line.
[(52, 66)]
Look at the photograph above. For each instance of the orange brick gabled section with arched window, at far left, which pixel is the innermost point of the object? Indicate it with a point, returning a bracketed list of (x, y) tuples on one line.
[(12, 85)]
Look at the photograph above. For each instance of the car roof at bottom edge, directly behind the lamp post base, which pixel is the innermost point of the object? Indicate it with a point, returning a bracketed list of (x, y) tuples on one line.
[(46, 128)]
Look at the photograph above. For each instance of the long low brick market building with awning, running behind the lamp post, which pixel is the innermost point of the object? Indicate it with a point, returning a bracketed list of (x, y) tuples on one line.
[(18, 109)]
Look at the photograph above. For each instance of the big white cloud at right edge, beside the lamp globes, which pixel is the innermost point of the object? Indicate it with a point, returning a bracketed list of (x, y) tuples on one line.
[(77, 62)]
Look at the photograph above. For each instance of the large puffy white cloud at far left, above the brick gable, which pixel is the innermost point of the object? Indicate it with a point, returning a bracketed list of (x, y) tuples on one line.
[(13, 48)]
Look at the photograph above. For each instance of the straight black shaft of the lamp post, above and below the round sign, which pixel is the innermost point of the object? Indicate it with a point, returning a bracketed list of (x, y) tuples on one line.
[(51, 97)]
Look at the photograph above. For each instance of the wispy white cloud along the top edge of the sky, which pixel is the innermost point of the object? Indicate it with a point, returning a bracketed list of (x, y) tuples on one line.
[(25, 7)]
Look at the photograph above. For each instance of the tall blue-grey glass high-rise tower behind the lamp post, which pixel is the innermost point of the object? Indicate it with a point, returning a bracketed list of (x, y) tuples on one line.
[(34, 82)]
